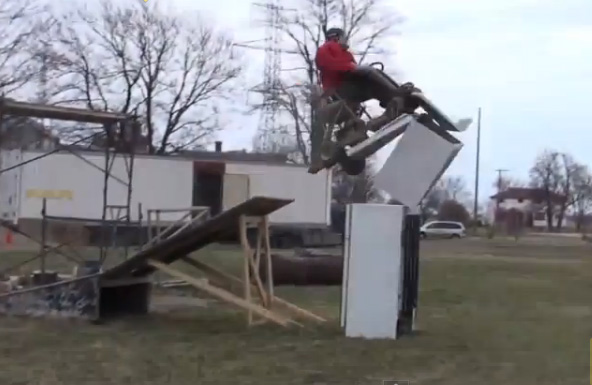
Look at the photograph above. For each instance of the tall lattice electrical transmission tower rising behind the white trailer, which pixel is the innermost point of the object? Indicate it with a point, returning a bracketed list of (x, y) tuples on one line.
[(271, 86)]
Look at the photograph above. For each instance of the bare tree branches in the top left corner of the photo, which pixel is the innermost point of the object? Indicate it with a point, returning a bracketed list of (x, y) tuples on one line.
[(22, 23)]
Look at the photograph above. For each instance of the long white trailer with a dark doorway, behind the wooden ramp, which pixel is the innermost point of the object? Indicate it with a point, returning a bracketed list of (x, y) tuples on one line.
[(74, 187)]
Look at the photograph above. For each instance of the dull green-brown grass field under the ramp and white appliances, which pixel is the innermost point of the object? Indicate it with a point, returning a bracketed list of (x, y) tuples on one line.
[(491, 312)]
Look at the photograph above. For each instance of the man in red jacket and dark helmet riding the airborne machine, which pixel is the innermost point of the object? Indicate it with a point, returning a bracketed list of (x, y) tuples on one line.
[(347, 85)]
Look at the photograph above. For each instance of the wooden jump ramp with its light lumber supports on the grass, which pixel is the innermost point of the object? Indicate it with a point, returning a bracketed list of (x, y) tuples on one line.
[(248, 292)]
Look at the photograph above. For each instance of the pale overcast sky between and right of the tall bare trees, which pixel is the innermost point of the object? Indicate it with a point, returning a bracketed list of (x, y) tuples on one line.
[(525, 62)]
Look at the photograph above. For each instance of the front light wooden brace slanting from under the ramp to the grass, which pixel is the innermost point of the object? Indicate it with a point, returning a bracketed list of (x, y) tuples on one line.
[(222, 294)]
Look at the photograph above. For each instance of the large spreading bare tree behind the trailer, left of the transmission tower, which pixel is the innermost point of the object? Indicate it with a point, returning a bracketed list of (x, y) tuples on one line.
[(173, 70)]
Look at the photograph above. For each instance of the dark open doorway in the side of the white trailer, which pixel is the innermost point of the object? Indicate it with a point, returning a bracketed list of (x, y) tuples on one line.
[(208, 180)]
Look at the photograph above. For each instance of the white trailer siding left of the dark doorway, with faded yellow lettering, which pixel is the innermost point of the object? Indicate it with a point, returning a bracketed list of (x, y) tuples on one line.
[(78, 186)]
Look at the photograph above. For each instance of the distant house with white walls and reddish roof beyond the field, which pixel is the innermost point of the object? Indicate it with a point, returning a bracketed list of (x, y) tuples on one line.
[(529, 203)]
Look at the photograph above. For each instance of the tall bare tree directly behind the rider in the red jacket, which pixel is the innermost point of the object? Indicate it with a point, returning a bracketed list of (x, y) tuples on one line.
[(367, 24)]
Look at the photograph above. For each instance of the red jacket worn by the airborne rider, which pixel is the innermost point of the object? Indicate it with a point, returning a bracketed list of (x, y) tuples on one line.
[(333, 61)]
